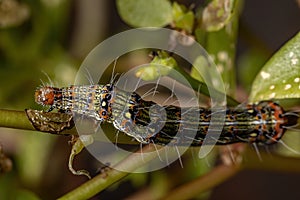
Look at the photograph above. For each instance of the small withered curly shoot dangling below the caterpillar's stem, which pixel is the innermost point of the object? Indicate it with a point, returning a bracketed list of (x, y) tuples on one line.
[(78, 143)]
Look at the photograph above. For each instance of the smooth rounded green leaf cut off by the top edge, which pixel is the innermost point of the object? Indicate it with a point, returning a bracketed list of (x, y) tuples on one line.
[(141, 13)]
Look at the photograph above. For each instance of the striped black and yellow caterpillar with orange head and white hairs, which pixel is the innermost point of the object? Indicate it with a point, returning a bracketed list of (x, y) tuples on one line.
[(263, 123)]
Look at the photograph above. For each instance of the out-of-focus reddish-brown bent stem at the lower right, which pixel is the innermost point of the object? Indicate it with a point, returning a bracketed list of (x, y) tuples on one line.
[(250, 160)]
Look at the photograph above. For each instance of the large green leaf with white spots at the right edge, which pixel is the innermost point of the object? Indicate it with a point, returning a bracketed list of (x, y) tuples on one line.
[(280, 77)]
